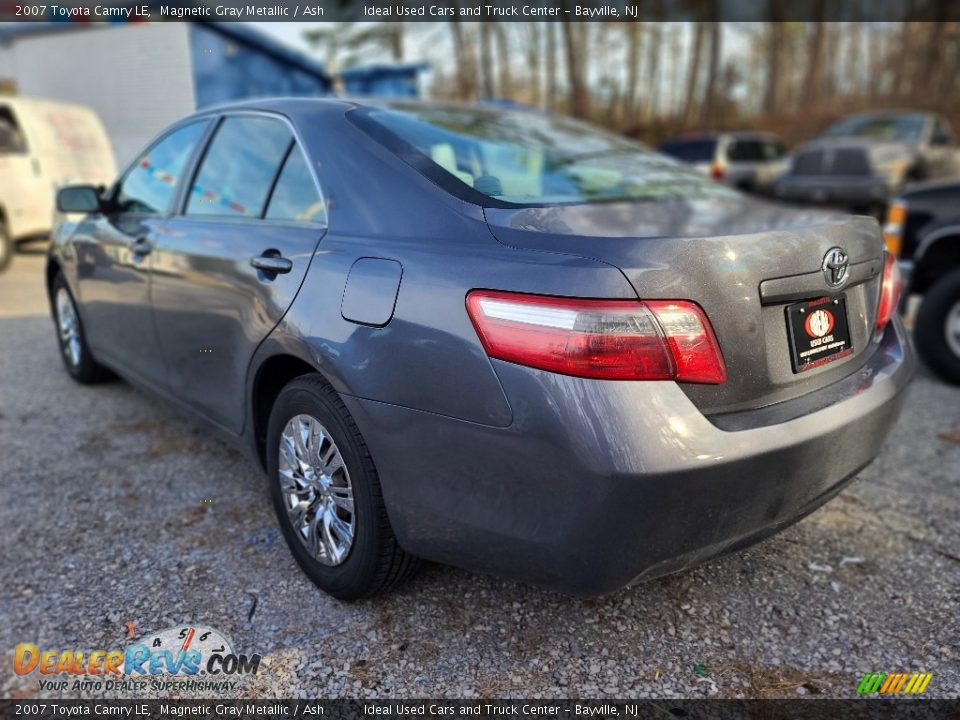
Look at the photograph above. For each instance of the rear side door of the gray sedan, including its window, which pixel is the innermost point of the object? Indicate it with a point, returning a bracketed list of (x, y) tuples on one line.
[(228, 266)]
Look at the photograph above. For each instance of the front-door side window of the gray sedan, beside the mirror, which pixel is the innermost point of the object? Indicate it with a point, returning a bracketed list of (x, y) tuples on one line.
[(149, 186)]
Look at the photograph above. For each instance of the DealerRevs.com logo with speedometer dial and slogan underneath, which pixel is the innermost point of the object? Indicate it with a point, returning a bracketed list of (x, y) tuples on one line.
[(183, 652)]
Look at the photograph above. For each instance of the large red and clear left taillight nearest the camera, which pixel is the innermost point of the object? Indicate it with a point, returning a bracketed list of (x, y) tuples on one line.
[(607, 339)]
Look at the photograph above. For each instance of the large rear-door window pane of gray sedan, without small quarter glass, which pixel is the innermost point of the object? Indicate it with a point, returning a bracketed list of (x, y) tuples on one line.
[(239, 167)]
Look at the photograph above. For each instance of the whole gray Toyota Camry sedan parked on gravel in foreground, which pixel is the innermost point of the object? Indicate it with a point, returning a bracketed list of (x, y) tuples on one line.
[(500, 340)]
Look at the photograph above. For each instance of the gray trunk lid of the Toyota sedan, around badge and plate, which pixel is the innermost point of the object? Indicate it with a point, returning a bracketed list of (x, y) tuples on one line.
[(741, 260)]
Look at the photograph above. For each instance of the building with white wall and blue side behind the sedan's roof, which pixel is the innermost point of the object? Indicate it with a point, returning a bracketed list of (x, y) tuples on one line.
[(141, 77)]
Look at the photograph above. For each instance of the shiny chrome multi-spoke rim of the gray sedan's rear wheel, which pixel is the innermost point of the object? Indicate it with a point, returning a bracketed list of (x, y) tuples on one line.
[(316, 490)]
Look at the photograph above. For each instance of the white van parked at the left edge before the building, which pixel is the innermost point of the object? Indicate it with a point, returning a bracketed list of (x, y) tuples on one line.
[(44, 145)]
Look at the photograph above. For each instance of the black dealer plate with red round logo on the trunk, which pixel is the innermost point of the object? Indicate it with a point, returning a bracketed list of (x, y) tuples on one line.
[(818, 332)]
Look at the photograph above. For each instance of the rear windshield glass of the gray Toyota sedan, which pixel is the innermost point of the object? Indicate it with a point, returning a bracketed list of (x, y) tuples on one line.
[(530, 158)]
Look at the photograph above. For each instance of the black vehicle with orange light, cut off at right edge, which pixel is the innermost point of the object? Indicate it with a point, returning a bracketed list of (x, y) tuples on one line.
[(923, 229)]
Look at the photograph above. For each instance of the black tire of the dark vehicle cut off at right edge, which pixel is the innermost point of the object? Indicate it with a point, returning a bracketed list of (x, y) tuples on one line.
[(937, 328)]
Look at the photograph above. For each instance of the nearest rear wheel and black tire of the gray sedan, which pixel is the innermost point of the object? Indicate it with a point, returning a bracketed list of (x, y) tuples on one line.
[(327, 497)]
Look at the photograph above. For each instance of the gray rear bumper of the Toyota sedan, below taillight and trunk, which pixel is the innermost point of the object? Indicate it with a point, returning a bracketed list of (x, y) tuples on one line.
[(598, 484)]
